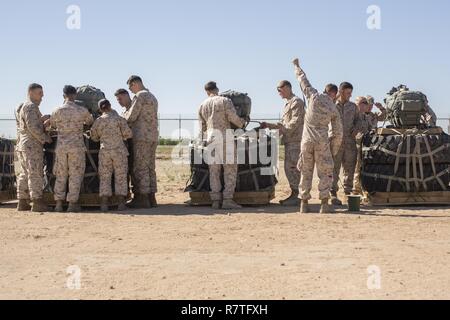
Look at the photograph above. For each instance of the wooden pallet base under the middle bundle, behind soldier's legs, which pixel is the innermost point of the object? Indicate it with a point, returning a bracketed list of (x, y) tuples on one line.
[(256, 198)]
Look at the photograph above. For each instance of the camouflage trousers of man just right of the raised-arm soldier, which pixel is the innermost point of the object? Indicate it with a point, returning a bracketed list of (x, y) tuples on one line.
[(346, 158)]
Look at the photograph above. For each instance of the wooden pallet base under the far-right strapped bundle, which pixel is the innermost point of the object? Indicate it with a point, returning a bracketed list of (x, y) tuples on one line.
[(403, 198)]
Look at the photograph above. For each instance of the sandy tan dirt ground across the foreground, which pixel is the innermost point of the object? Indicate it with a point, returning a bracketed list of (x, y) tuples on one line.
[(180, 252)]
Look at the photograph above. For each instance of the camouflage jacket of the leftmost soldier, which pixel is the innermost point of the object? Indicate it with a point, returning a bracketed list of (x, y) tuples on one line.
[(30, 128)]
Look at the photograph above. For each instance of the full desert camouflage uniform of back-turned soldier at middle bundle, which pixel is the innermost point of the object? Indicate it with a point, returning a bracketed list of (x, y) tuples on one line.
[(216, 114)]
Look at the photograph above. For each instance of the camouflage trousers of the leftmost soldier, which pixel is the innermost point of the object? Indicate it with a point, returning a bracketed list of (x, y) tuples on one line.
[(30, 182)]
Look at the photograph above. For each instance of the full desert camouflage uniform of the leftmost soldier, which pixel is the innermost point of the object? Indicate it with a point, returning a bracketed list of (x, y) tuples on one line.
[(30, 151)]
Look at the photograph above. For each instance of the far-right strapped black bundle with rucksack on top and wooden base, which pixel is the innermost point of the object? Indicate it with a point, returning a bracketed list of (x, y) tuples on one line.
[(408, 162)]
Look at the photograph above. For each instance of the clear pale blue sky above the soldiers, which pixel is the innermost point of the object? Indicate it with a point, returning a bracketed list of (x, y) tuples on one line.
[(176, 46)]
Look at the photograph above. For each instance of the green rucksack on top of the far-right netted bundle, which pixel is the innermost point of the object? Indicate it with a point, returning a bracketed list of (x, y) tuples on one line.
[(405, 108)]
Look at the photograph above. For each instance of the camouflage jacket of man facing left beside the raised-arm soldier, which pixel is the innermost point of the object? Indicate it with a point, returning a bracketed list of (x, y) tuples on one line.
[(293, 120)]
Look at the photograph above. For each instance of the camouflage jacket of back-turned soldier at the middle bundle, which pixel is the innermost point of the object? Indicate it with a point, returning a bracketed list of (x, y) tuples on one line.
[(216, 114)]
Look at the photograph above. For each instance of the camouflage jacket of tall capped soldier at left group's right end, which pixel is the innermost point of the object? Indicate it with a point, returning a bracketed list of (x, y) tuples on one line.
[(142, 117)]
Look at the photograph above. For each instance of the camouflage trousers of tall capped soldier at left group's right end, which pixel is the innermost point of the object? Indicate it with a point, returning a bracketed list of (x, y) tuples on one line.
[(144, 170)]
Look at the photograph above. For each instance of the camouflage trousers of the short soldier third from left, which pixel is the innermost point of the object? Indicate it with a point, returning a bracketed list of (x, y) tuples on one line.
[(113, 161)]
